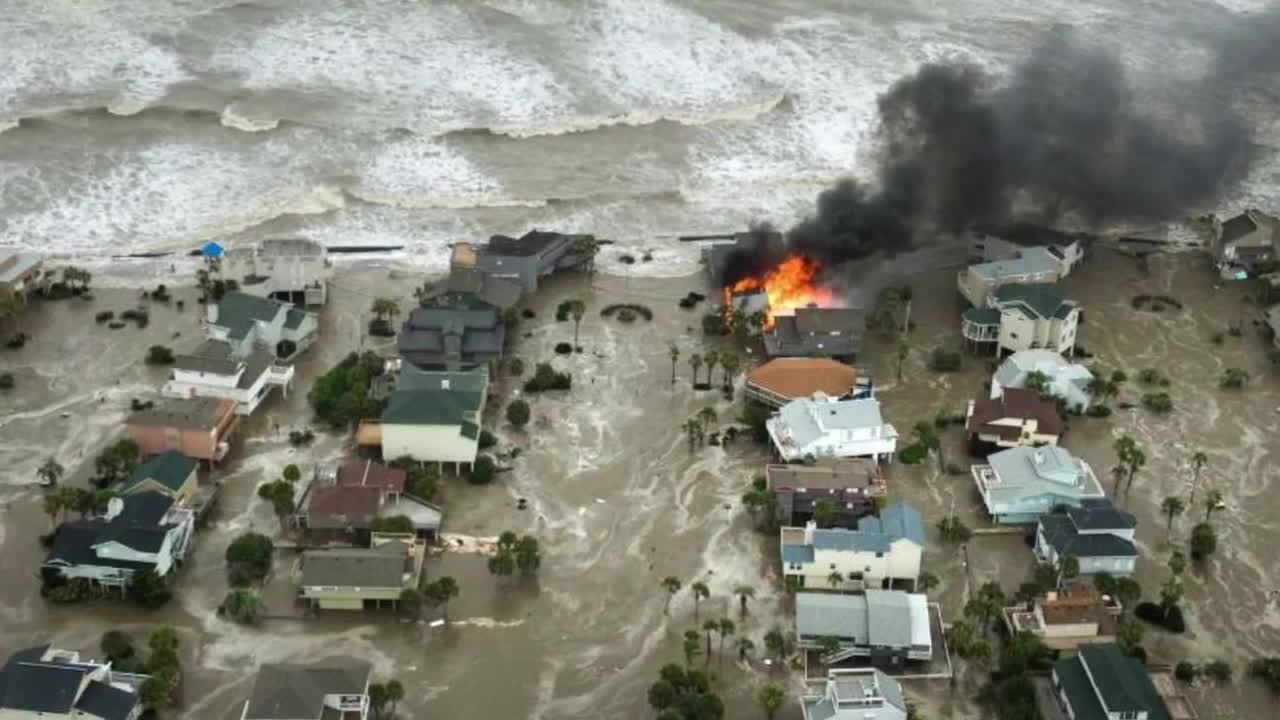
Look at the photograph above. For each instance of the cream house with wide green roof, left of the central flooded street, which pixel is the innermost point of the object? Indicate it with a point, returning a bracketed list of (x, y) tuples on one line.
[(435, 417)]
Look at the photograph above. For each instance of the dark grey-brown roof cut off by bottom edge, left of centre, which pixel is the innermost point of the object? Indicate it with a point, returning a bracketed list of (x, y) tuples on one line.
[(294, 692)]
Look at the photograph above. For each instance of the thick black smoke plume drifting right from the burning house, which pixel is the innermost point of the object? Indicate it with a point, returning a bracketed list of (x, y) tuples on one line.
[(1064, 139)]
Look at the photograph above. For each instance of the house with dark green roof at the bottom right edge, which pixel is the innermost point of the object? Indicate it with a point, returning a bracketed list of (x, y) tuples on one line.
[(1103, 683)]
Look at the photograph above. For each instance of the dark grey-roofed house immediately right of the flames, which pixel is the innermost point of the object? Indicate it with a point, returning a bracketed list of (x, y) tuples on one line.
[(817, 332)]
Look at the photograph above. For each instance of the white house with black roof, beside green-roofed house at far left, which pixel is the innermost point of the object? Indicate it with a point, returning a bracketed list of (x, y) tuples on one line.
[(139, 532)]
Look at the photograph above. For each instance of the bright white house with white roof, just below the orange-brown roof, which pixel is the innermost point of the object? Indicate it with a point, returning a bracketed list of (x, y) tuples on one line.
[(821, 427)]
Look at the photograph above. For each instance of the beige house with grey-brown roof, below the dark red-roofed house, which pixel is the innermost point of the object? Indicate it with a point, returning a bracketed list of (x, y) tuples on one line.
[(360, 578)]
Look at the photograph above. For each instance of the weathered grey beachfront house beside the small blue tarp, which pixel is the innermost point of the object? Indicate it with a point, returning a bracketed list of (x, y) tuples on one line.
[(292, 270)]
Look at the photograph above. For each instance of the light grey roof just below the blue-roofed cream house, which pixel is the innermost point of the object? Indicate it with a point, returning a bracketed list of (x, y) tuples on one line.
[(877, 618)]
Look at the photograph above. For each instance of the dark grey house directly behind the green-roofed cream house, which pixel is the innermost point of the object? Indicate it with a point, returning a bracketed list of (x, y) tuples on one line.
[(460, 338)]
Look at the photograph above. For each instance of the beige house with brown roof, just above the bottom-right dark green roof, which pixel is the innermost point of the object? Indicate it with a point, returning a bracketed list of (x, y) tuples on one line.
[(1067, 619)]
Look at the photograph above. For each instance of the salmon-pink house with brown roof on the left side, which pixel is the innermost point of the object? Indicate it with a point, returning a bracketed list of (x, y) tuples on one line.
[(200, 429)]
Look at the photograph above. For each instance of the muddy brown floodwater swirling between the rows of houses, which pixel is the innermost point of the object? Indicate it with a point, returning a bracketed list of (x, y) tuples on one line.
[(620, 502)]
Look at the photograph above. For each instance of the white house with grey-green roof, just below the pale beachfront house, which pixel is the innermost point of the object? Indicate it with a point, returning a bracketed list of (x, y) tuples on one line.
[(246, 322)]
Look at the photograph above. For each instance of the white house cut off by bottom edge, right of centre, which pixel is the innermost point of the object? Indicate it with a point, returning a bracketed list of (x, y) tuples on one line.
[(862, 694)]
